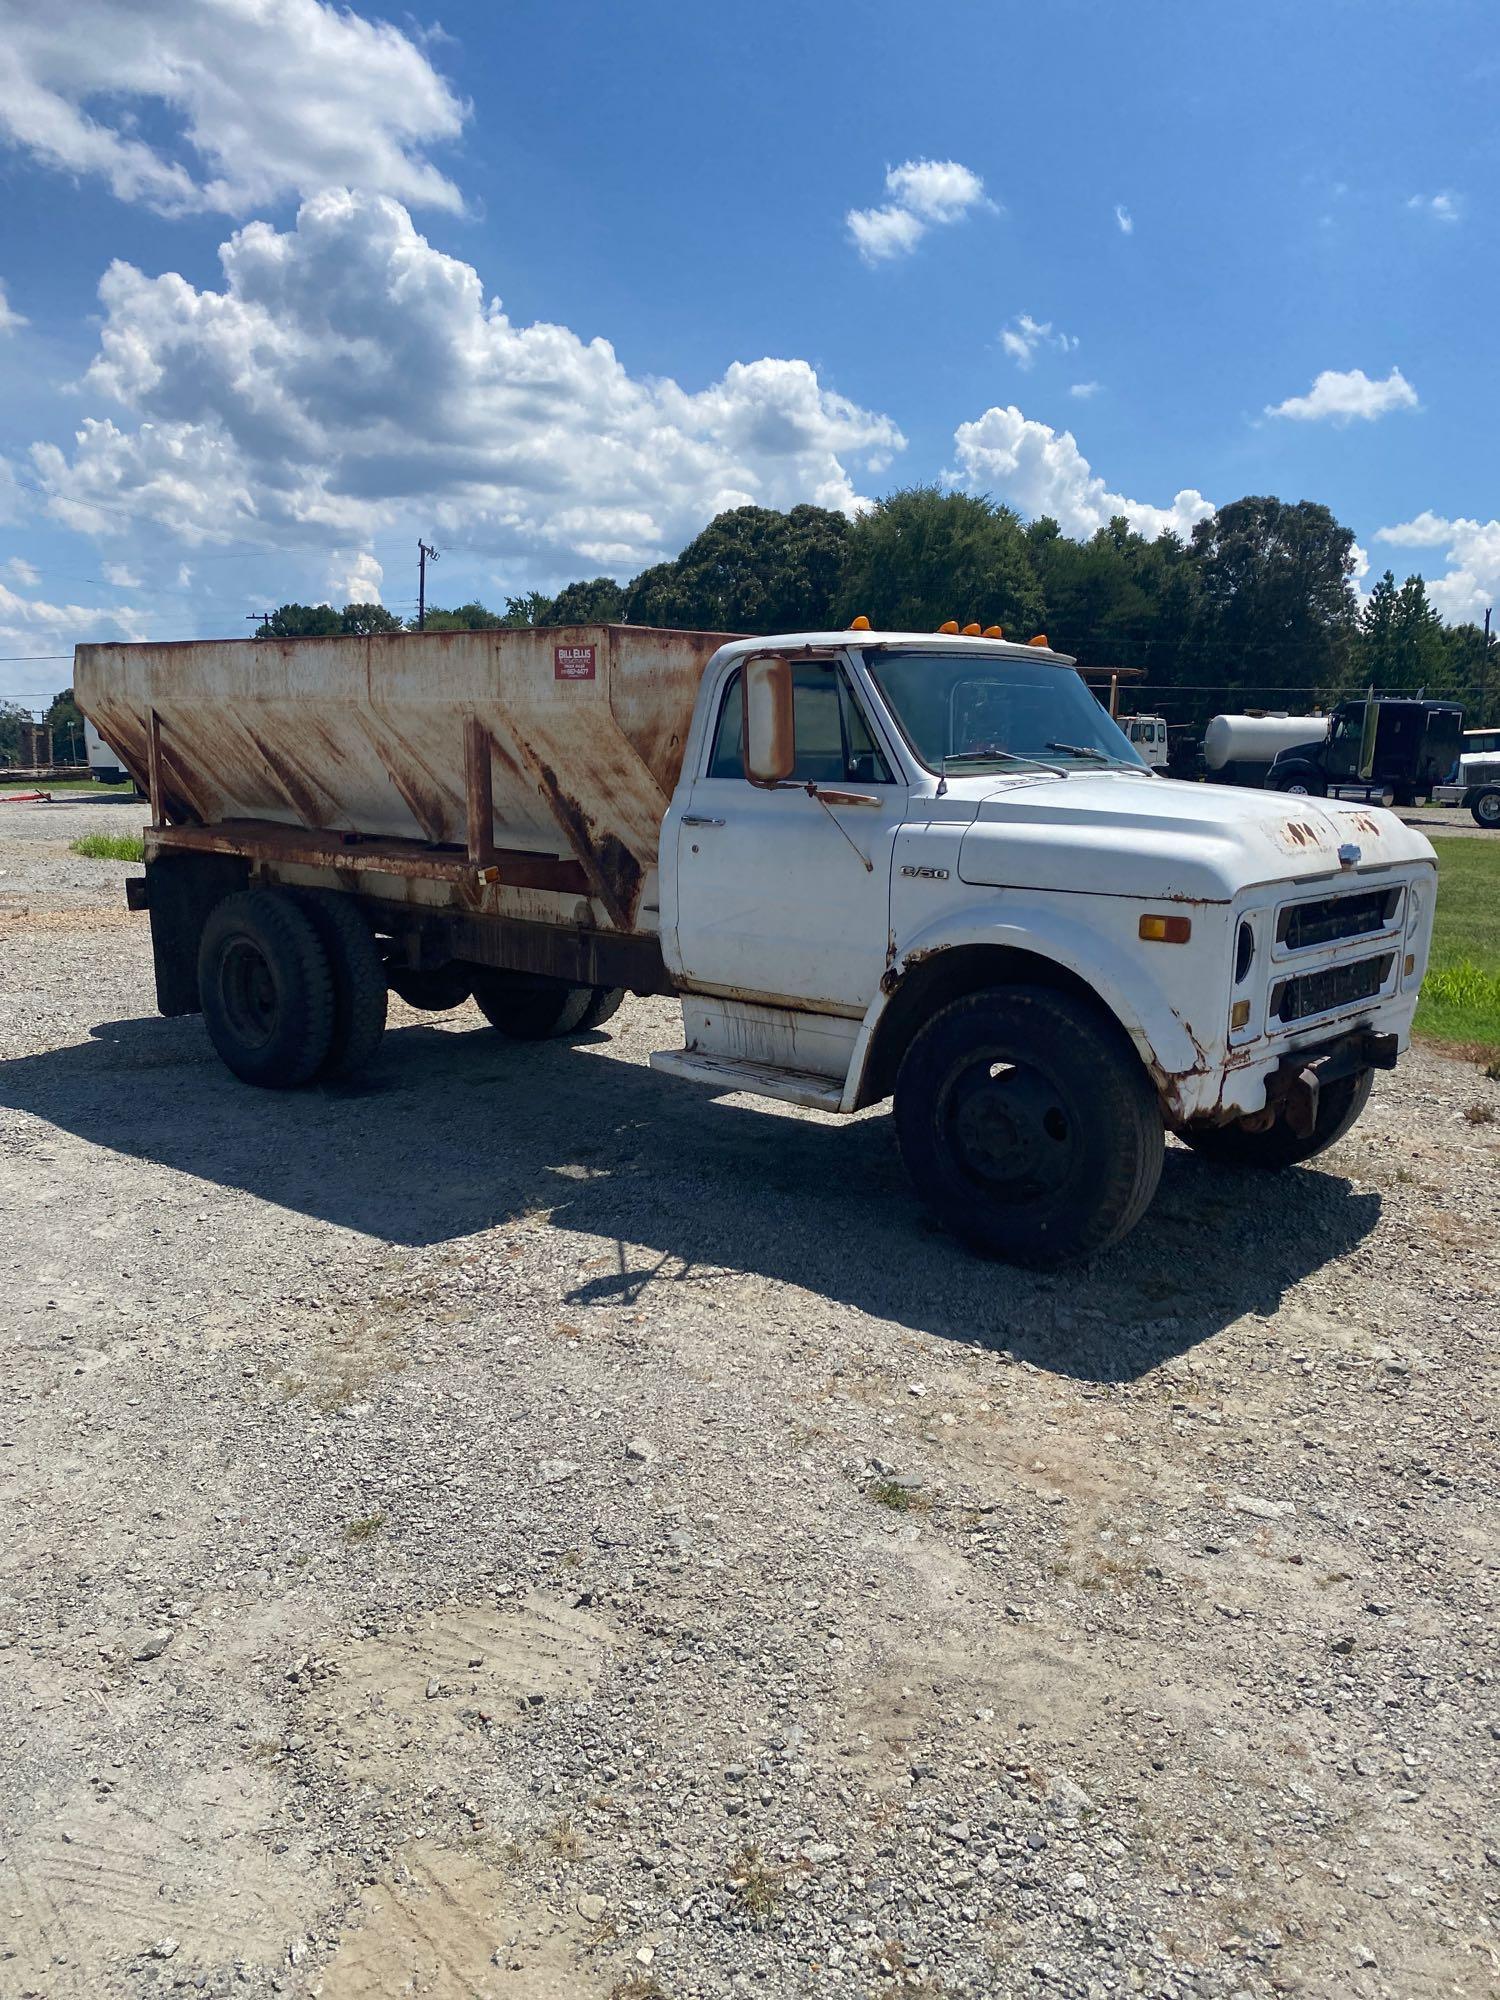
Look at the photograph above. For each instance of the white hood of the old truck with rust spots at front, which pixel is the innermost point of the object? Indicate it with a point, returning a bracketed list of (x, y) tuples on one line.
[(1123, 835)]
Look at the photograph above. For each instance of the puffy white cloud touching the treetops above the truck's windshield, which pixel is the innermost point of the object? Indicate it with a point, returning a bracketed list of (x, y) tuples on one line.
[(1041, 471)]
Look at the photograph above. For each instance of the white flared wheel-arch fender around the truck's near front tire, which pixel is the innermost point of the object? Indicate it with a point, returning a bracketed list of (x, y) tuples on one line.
[(1143, 1007)]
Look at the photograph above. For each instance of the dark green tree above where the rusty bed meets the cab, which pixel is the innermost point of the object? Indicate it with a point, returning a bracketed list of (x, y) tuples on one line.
[(751, 571)]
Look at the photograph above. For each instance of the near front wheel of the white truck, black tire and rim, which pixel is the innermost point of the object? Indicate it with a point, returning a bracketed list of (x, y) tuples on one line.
[(1029, 1125)]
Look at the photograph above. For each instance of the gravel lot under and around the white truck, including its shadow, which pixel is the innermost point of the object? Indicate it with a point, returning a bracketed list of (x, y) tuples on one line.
[(519, 1527)]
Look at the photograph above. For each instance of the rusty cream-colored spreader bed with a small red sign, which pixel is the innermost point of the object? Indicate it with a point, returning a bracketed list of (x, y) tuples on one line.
[(529, 767)]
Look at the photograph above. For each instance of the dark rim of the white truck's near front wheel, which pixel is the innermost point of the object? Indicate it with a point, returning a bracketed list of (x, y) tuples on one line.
[(1009, 1129)]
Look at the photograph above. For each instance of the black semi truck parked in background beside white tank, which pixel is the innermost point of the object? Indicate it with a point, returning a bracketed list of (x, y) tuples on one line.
[(1379, 749)]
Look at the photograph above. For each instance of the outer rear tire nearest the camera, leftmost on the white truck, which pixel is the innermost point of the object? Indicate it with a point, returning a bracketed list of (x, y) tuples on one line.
[(267, 989)]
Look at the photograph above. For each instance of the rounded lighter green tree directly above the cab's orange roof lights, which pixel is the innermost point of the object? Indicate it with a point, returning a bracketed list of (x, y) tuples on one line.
[(923, 557)]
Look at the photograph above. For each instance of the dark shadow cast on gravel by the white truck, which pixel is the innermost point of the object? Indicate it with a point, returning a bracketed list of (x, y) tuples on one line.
[(457, 1133)]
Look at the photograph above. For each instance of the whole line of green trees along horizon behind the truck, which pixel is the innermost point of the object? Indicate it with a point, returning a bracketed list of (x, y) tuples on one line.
[(1255, 609)]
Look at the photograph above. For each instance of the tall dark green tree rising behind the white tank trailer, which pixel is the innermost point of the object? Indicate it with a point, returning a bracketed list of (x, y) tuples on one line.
[(1277, 597)]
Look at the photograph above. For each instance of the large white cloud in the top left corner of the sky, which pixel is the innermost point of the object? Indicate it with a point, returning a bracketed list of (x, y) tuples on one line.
[(267, 97)]
